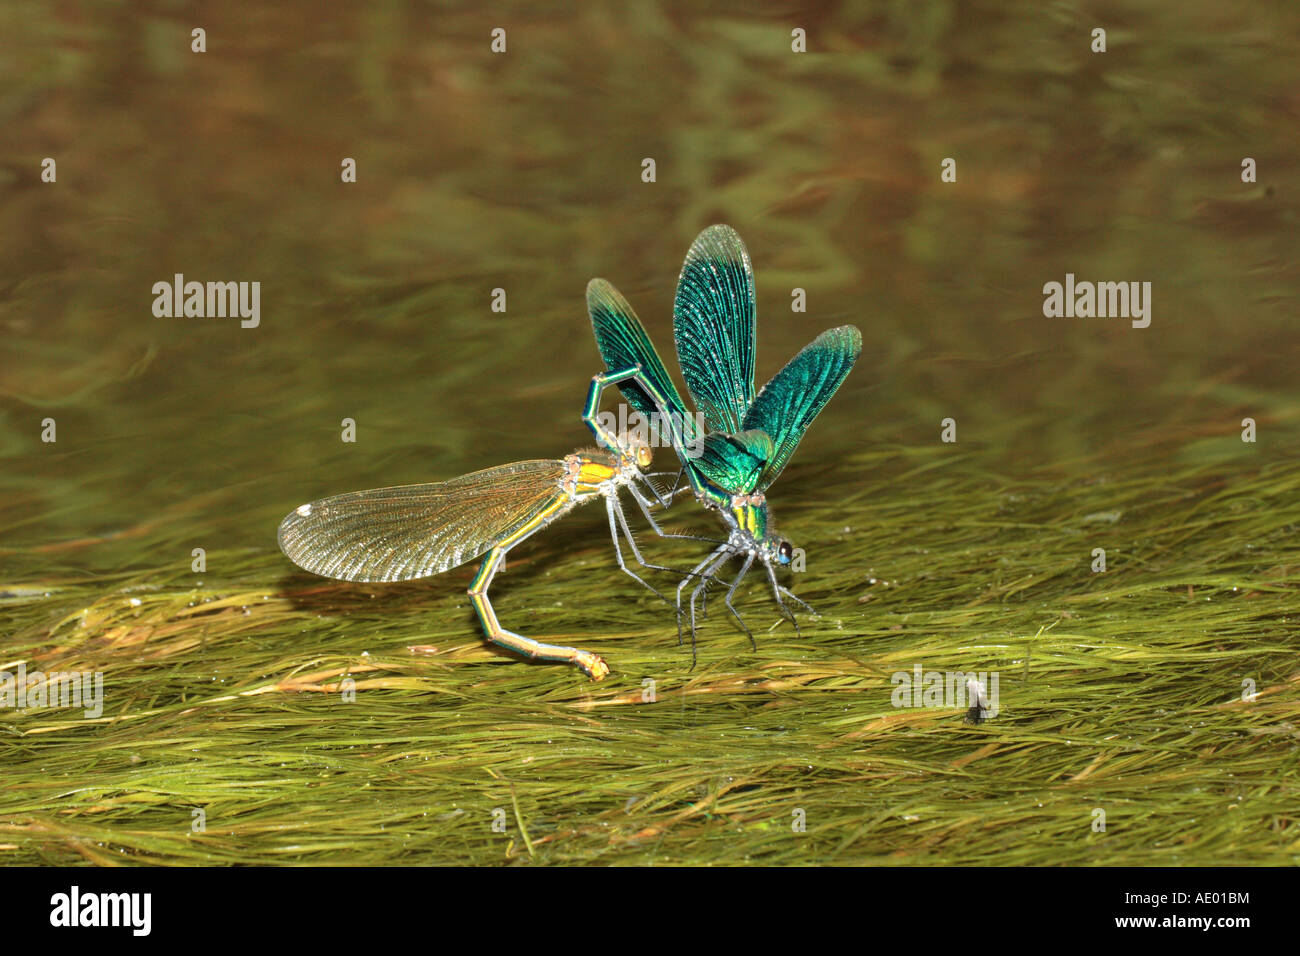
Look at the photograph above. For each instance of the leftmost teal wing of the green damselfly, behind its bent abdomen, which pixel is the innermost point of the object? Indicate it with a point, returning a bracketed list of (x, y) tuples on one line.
[(625, 343)]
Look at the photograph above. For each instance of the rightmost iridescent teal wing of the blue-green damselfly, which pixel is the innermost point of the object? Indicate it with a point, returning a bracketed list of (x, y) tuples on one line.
[(795, 396)]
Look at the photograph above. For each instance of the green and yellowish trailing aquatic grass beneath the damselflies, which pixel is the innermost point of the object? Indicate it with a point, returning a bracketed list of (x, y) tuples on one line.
[(1121, 691)]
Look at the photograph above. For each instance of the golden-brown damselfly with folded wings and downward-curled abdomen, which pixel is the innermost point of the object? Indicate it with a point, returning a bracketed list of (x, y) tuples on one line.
[(417, 531)]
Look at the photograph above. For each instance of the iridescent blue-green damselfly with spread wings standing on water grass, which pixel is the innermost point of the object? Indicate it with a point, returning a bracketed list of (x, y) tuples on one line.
[(748, 439)]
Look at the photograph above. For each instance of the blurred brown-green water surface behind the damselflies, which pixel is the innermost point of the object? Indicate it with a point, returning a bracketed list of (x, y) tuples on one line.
[(522, 171)]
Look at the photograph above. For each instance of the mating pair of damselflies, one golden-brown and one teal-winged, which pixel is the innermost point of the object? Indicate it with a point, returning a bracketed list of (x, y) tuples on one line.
[(730, 455)]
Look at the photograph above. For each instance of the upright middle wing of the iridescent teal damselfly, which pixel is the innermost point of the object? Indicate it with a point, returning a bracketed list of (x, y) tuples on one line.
[(713, 323)]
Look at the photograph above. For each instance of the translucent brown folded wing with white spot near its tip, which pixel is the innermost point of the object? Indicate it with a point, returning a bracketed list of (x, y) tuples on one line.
[(415, 531)]
